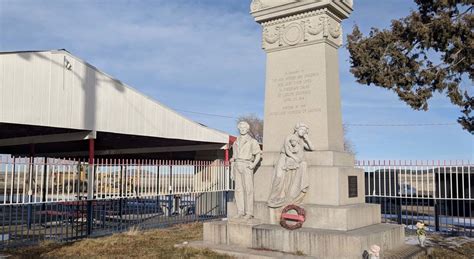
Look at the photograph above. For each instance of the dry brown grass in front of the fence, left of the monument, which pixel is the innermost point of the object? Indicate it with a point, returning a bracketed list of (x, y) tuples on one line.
[(131, 244)]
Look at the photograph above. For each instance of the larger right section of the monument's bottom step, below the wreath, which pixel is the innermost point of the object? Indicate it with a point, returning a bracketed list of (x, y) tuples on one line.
[(328, 243)]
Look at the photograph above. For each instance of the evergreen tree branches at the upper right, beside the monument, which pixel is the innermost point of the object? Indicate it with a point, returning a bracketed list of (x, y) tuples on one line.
[(431, 50)]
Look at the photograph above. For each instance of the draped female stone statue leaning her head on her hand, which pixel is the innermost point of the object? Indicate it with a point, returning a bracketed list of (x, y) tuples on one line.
[(290, 181)]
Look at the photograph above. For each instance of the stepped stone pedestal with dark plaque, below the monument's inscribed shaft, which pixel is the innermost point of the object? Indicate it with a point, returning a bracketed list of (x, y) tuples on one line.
[(339, 224)]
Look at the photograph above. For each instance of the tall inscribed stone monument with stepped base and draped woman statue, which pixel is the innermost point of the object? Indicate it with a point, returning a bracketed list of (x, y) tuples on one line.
[(301, 39)]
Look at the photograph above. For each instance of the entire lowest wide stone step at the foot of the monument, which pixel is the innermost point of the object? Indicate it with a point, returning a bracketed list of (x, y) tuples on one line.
[(319, 243)]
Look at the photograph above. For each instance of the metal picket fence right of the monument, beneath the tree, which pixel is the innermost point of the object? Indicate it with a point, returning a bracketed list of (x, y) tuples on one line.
[(436, 193)]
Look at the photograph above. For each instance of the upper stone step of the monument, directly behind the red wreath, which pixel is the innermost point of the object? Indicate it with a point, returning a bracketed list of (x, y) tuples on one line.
[(346, 217)]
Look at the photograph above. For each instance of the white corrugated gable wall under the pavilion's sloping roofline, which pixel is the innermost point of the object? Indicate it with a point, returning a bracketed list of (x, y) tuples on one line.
[(37, 89)]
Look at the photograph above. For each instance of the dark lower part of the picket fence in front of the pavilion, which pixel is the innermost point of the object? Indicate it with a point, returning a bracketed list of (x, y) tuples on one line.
[(26, 224)]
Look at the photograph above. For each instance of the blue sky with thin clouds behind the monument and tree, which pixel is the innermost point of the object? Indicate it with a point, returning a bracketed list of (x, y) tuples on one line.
[(205, 56)]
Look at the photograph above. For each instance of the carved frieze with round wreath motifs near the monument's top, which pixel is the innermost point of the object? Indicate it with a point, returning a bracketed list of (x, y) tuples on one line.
[(302, 29)]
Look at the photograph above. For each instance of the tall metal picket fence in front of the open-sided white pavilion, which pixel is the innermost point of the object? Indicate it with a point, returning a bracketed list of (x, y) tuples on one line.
[(66, 200)]
